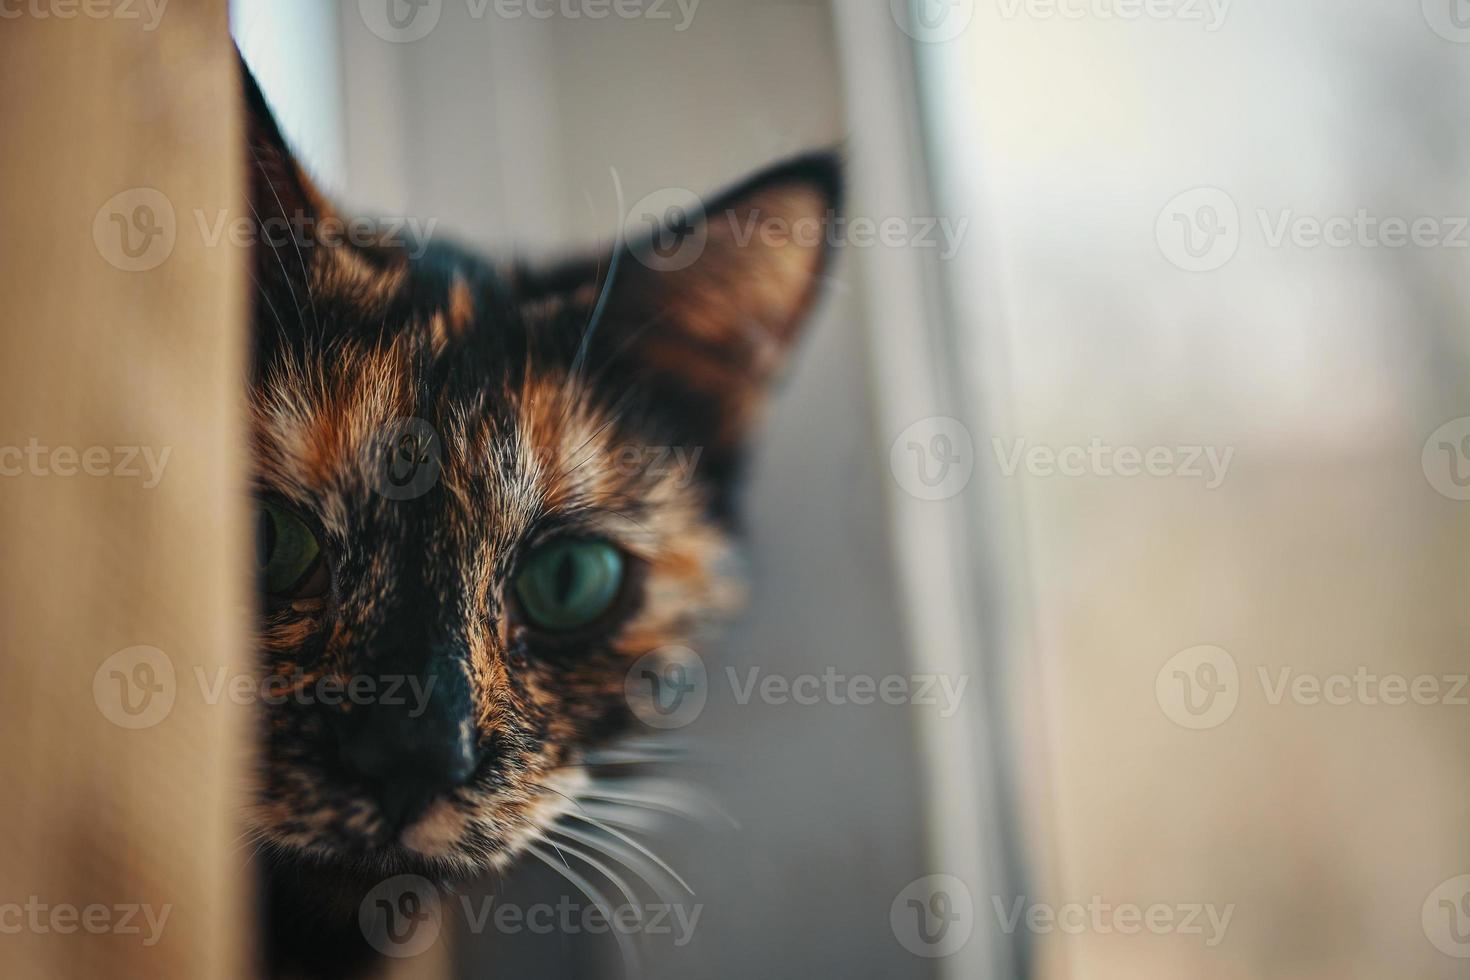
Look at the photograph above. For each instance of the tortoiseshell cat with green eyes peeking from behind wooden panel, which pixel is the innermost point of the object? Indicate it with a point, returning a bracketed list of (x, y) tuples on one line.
[(458, 511)]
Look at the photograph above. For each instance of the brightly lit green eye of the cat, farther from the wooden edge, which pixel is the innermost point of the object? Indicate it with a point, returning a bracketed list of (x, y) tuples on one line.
[(570, 584)]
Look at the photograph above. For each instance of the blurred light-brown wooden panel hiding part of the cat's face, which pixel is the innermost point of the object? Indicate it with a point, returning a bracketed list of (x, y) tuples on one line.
[(120, 854)]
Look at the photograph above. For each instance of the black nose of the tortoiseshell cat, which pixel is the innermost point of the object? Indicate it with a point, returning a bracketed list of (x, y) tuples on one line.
[(412, 747)]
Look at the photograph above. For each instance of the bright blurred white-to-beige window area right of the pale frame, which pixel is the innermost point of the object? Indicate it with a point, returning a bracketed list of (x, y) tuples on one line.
[(1319, 549)]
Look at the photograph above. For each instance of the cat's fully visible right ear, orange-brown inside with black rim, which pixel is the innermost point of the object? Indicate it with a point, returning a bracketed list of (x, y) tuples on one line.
[(706, 305)]
